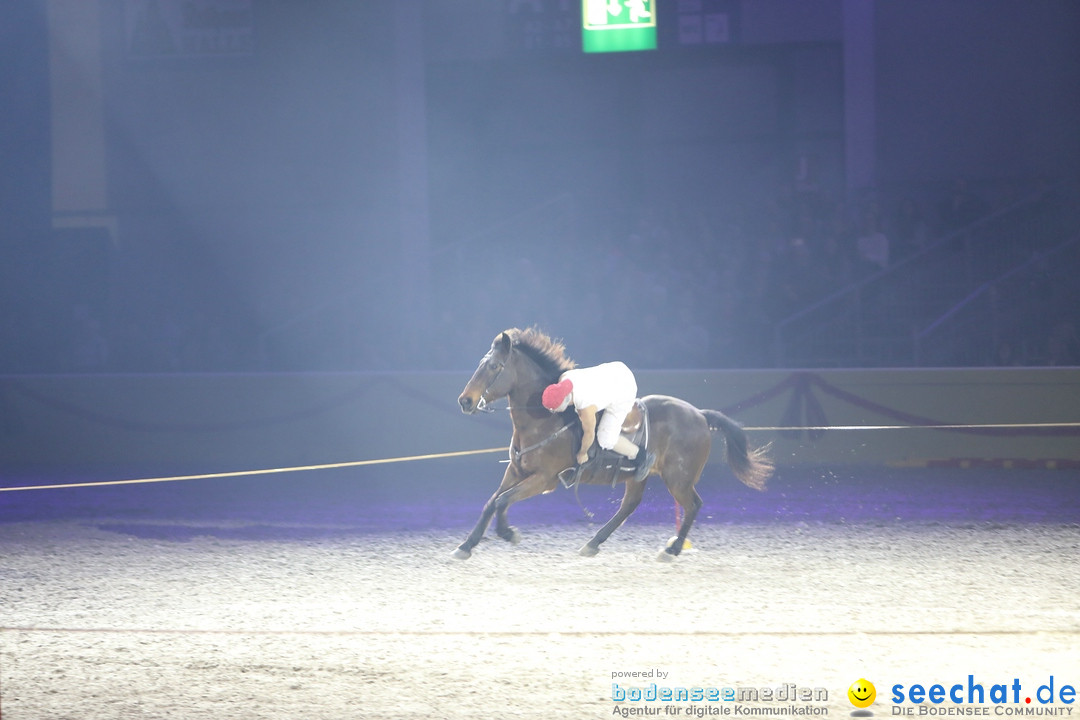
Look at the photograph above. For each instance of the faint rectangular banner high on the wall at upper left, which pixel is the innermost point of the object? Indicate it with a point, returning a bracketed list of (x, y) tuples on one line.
[(190, 29)]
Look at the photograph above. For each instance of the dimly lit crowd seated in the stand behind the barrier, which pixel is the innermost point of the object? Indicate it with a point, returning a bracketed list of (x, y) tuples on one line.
[(677, 288)]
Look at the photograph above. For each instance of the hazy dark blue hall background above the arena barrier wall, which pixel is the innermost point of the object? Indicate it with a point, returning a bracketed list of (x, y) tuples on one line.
[(384, 185)]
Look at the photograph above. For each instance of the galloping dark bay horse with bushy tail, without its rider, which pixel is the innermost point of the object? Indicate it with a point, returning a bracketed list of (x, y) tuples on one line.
[(519, 366)]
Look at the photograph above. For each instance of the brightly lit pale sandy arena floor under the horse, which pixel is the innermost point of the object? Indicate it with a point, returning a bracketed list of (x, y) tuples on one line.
[(221, 610)]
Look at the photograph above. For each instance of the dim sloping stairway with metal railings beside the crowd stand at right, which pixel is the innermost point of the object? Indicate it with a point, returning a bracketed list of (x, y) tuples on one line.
[(885, 318)]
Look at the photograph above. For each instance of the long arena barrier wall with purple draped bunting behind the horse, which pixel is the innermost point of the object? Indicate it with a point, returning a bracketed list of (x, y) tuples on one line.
[(188, 424)]
